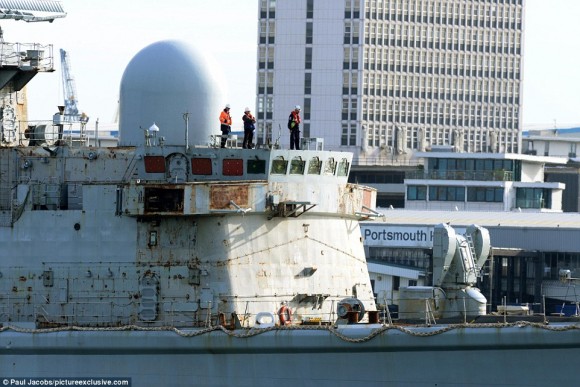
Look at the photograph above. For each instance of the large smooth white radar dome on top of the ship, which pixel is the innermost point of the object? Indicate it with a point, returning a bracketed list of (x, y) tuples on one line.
[(161, 83)]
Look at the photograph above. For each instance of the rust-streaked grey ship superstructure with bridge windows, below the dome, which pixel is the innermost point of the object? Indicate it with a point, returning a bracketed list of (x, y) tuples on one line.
[(168, 237)]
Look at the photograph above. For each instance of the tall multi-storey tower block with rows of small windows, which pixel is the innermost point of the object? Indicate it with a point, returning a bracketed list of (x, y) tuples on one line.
[(382, 78)]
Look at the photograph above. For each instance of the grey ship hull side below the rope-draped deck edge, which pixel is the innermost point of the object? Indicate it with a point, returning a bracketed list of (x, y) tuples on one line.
[(492, 355)]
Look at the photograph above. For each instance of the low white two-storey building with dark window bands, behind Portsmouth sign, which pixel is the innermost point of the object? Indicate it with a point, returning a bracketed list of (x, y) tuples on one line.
[(483, 182)]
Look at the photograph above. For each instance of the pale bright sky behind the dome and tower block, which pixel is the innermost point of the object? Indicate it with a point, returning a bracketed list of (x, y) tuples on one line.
[(101, 37)]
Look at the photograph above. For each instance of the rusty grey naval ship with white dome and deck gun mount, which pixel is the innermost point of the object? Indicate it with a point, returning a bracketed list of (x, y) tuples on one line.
[(168, 260)]
